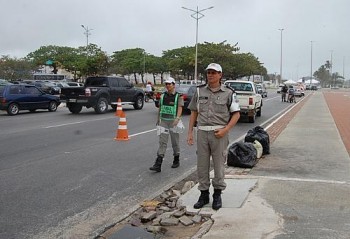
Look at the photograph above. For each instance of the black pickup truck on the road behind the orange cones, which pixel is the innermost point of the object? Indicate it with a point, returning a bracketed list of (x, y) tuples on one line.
[(101, 91)]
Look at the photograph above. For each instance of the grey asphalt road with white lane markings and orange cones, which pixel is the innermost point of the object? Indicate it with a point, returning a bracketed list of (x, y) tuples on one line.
[(64, 174)]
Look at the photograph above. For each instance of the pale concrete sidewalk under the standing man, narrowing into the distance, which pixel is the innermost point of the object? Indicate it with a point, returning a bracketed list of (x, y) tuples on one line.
[(300, 190)]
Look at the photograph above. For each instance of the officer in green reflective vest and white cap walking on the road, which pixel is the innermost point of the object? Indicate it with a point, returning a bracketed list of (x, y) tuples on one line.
[(169, 117)]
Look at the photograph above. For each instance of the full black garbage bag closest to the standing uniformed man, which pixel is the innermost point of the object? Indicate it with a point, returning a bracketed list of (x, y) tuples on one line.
[(242, 155)]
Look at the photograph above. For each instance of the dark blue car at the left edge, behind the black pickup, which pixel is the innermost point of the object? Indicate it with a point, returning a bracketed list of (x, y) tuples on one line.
[(16, 97)]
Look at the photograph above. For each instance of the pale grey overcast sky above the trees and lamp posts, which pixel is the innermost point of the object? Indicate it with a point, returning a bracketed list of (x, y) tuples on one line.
[(158, 25)]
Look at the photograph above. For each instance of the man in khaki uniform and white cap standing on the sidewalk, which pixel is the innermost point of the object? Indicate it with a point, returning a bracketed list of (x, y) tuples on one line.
[(215, 110)]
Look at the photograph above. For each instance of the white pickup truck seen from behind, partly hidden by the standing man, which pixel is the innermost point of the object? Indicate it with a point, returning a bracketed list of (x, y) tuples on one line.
[(250, 101)]
